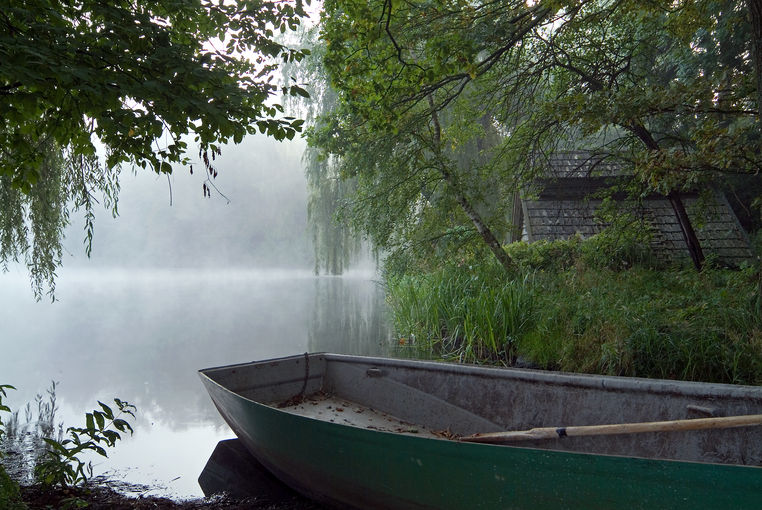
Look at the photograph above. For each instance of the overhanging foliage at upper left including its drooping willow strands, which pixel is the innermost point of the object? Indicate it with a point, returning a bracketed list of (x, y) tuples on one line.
[(142, 80)]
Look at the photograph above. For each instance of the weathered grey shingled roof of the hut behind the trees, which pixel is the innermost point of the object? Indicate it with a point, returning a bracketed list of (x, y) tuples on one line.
[(561, 207)]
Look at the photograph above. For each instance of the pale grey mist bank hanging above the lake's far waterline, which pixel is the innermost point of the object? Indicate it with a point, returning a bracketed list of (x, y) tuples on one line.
[(260, 221)]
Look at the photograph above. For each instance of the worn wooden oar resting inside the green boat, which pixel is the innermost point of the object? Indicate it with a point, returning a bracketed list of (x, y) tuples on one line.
[(618, 428)]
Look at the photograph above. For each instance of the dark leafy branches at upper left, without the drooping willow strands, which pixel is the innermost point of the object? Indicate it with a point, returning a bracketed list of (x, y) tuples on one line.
[(127, 72)]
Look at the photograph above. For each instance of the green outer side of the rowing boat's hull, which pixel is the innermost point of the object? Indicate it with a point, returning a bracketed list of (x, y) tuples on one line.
[(361, 468)]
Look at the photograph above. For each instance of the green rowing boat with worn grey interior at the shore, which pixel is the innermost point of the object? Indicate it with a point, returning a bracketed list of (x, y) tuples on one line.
[(375, 433)]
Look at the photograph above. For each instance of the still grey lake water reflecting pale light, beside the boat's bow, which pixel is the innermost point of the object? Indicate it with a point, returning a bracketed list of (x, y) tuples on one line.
[(141, 335)]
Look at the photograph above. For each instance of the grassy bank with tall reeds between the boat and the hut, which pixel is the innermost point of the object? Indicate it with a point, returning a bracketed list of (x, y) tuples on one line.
[(575, 306)]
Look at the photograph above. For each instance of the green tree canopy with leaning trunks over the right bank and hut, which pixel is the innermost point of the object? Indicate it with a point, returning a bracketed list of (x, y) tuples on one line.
[(664, 87)]
